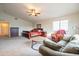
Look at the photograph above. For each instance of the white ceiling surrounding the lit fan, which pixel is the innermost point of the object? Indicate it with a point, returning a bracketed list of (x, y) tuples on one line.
[(48, 10)]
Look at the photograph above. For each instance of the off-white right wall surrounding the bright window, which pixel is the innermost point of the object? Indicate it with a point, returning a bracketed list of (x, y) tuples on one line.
[(73, 22)]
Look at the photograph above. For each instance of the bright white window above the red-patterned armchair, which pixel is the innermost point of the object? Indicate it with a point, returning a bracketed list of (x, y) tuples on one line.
[(61, 24)]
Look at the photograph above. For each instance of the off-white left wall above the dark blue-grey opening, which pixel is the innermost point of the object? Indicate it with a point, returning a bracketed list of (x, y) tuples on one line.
[(22, 24)]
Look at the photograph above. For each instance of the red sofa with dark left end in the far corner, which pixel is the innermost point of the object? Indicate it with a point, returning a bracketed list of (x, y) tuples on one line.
[(34, 32)]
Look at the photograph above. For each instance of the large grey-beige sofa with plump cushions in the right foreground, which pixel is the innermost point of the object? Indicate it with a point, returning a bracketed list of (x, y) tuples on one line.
[(50, 48)]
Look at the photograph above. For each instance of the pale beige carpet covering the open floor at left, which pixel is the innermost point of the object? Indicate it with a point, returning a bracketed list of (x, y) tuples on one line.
[(18, 46)]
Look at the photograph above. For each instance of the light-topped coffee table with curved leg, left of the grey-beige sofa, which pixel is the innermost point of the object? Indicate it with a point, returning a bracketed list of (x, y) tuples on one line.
[(37, 40)]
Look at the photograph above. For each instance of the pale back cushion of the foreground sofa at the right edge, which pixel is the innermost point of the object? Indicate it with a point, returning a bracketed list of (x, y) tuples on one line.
[(72, 46)]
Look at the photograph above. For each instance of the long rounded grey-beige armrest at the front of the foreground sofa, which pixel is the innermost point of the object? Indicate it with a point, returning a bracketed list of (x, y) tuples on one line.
[(49, 52)]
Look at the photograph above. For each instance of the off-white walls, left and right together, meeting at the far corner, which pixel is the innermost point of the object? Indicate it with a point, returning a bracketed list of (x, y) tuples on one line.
[(46, 24)]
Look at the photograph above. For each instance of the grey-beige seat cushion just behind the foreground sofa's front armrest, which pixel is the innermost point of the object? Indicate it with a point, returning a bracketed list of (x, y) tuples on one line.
[(51, 44)]
